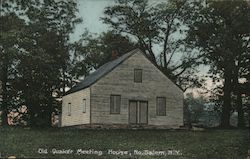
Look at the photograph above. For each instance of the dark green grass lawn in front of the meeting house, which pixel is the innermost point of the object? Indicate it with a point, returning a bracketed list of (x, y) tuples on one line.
[(25, 143)]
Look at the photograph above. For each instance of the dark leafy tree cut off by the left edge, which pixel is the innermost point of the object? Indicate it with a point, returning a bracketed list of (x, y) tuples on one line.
[(11, 28)]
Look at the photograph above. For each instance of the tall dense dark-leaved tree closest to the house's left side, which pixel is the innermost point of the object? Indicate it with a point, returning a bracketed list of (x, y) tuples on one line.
[(42, 67)]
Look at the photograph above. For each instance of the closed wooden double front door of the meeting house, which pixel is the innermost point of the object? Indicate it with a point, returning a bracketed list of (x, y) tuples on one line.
[(138, 112)]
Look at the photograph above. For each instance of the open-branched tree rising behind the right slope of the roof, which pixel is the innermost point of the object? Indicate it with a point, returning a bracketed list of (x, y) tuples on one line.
[(160, 26)]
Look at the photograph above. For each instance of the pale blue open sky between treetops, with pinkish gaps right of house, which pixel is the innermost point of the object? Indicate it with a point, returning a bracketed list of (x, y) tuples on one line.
[(91, 10)]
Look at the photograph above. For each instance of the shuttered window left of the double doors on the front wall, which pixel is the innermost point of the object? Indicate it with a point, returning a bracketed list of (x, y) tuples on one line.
[(115, 104)]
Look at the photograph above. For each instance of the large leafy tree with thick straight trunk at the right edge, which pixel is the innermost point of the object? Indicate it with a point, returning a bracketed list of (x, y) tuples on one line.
[(221, 31)]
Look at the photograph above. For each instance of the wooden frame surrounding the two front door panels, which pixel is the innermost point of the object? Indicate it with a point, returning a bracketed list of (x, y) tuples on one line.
[(137, 112)]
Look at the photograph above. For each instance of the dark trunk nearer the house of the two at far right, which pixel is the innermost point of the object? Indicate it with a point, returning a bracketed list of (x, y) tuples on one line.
[(226, 107)]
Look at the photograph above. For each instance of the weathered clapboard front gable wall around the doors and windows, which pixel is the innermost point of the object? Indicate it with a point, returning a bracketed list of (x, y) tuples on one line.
[(120, 81)]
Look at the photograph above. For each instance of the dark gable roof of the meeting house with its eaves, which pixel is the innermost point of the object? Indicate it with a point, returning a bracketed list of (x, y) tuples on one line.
[(104, 69)]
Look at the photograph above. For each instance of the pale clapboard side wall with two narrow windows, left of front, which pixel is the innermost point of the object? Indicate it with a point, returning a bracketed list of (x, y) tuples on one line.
[(77, 116)]
